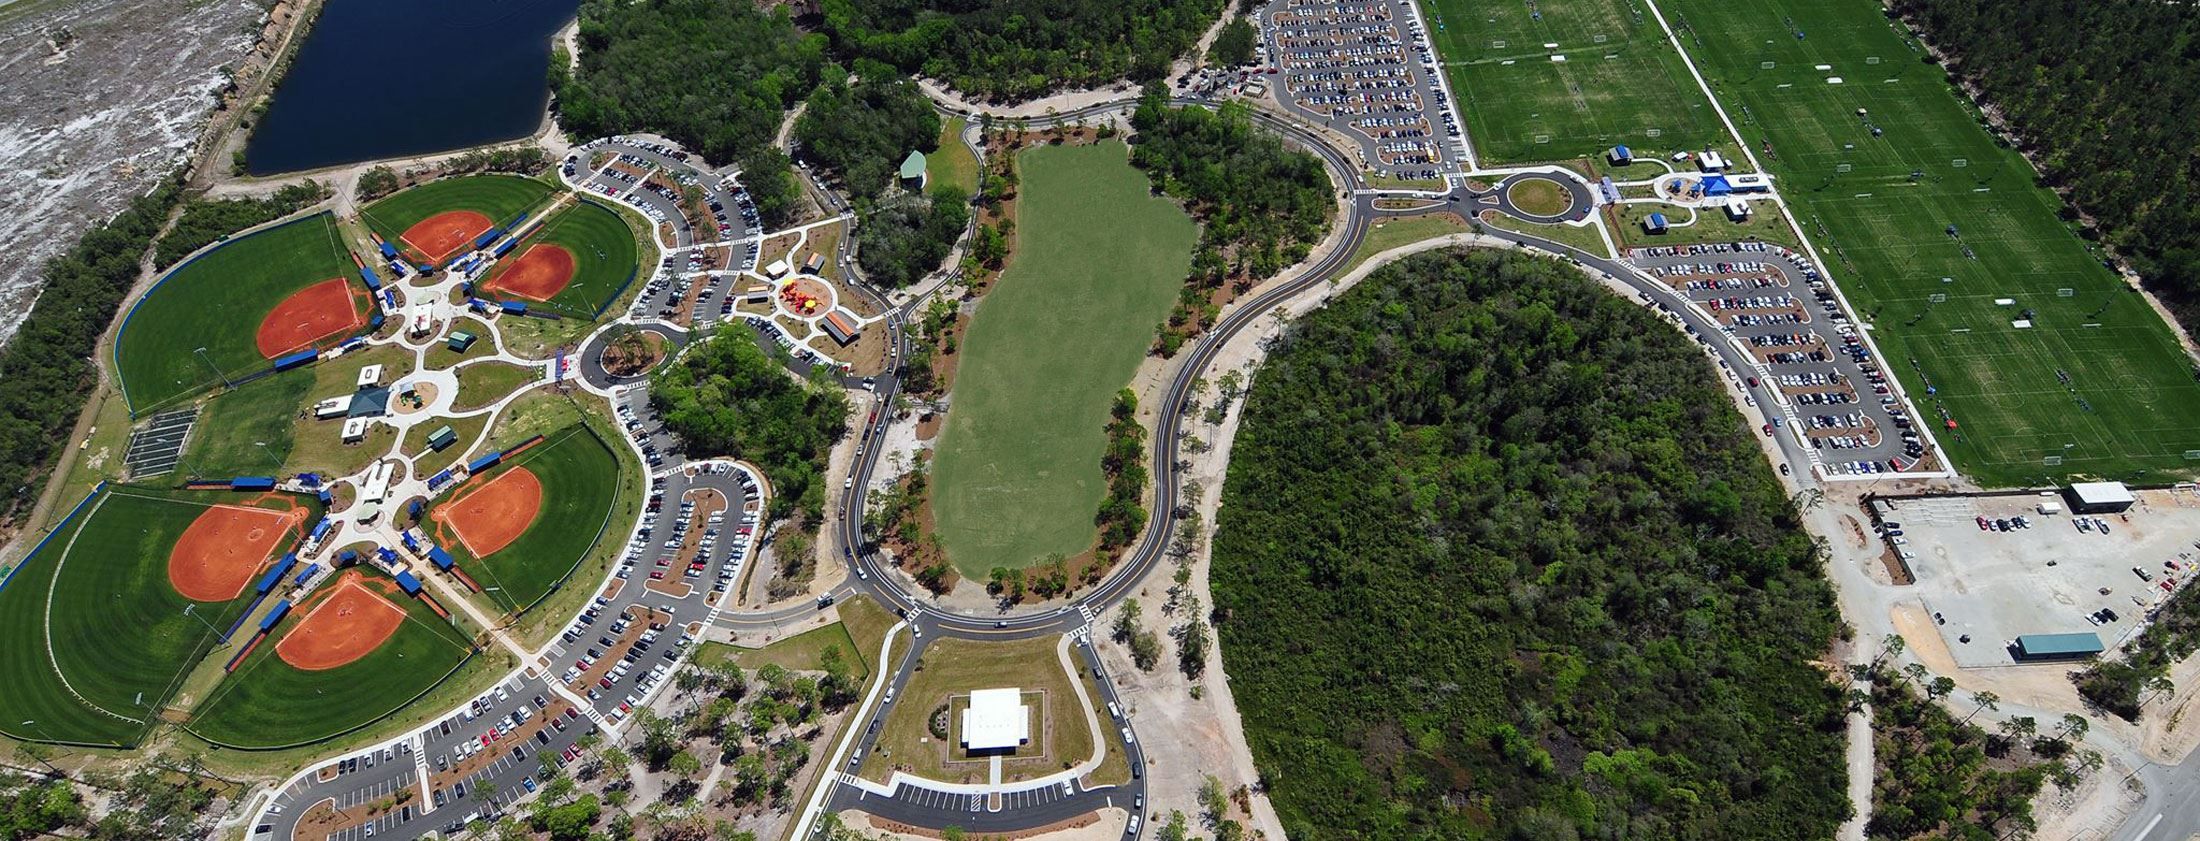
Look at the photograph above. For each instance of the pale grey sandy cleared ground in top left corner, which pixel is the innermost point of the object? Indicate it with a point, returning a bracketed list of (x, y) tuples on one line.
[(102, 120)]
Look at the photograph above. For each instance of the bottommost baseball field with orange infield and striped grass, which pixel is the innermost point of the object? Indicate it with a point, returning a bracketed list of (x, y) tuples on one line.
[(353, 655)]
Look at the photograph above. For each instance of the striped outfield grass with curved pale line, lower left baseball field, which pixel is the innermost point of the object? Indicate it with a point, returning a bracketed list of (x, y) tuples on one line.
[(93, 607)]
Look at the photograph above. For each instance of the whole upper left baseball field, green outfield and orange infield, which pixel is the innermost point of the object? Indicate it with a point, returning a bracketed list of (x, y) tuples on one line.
[(239, 307)]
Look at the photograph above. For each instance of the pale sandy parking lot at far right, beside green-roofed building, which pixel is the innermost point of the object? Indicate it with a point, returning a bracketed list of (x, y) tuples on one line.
[(1988, 578)]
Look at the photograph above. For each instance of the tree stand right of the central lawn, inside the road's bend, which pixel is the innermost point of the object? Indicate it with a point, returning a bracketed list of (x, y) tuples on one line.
[(1262, 206)]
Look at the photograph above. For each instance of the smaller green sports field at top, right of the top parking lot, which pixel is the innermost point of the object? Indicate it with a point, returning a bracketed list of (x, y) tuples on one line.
[(1618, 85)]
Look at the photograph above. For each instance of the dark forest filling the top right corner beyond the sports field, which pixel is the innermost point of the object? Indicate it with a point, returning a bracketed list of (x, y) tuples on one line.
[(2095, 94)]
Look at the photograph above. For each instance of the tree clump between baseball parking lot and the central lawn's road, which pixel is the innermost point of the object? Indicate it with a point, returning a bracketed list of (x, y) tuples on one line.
[(727, 397)]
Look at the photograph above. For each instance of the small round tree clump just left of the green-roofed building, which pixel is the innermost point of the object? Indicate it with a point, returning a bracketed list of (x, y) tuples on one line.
[(859, 131)]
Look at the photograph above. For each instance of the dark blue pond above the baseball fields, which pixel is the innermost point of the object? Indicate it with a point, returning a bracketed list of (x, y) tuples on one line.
[(395, 78)]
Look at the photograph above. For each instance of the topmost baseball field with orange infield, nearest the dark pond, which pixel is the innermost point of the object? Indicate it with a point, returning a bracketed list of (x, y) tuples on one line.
[(441, 219)]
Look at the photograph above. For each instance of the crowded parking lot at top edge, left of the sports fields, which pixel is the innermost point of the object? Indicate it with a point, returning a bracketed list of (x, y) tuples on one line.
[(1365, 69)]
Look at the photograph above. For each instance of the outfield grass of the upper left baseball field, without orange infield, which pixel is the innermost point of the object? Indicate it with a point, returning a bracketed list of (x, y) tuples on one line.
[(203, 316)]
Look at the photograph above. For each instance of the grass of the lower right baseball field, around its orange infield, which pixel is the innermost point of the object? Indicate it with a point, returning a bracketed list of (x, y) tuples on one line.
[(580, 485)]
